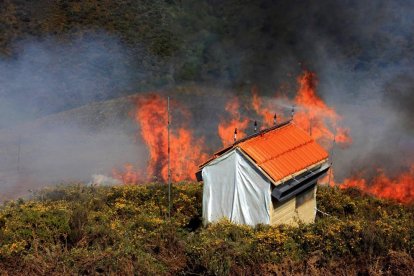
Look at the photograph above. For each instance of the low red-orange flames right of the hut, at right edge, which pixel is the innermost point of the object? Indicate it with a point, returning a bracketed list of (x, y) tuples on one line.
[(400, 188)]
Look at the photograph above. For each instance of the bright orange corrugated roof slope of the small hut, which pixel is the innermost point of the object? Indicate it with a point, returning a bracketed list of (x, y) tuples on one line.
[(283, 151)]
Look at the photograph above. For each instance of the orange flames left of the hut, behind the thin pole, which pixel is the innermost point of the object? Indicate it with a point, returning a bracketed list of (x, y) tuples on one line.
[(186, 151)]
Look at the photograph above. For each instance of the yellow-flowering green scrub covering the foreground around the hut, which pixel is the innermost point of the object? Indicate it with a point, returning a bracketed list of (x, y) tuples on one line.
[(101, 230)]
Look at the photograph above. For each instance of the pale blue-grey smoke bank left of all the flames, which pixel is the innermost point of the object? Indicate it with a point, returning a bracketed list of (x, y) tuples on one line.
[(43, 140)]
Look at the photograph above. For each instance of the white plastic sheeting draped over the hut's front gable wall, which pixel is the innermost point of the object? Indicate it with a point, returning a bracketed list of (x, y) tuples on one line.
[(233, 188)]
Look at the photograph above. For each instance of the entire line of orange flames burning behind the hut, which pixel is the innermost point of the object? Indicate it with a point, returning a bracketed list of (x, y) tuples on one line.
[(312, 114)]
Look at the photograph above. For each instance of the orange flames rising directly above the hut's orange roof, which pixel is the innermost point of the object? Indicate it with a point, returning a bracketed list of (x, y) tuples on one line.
[(312, 114)]
